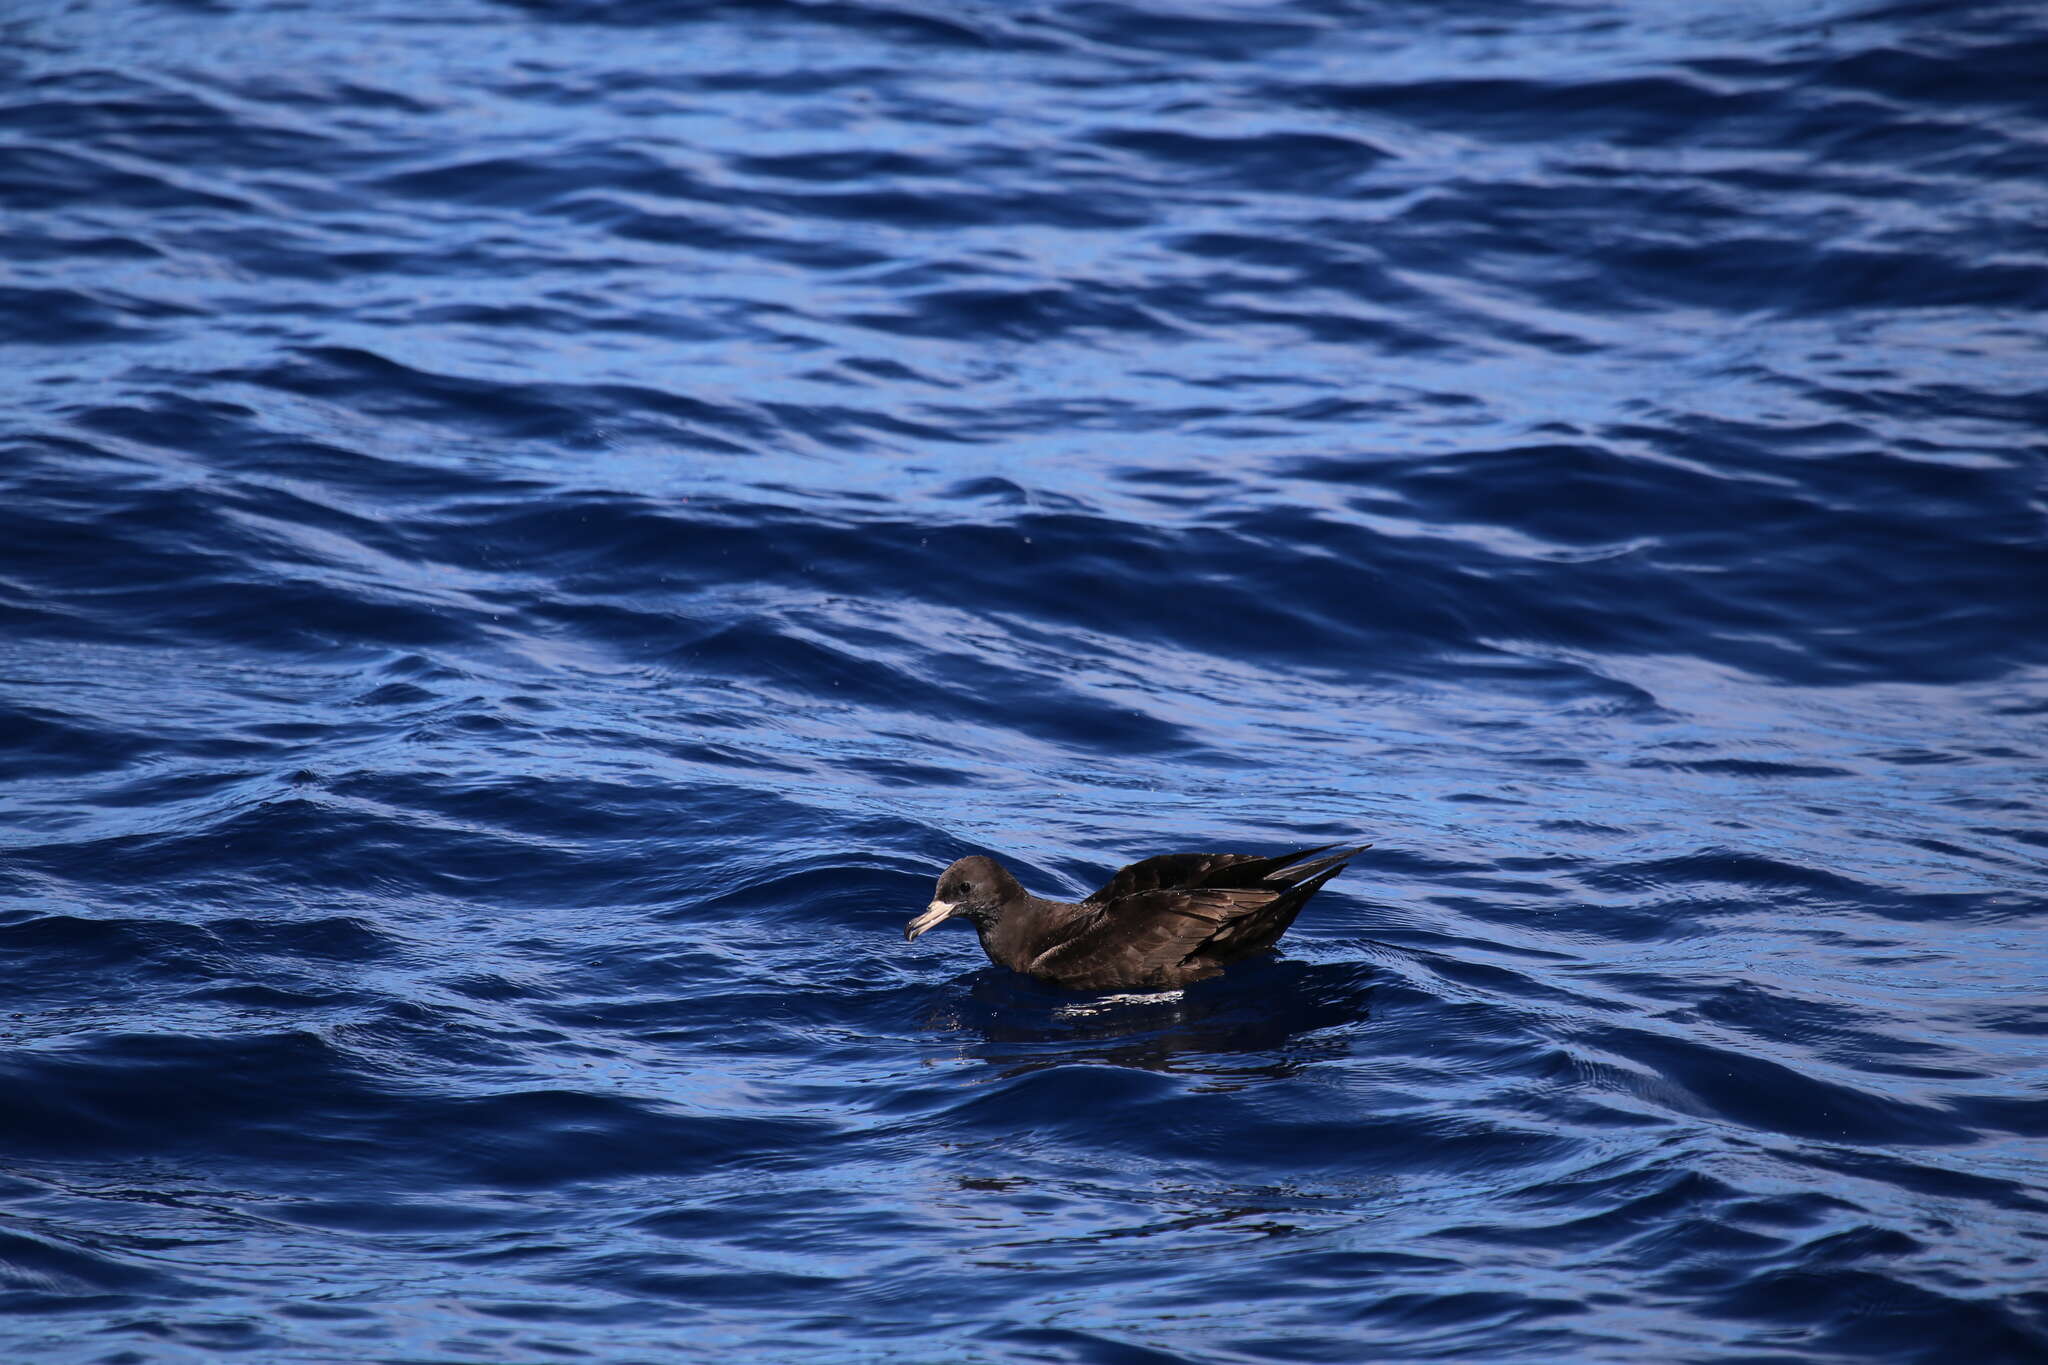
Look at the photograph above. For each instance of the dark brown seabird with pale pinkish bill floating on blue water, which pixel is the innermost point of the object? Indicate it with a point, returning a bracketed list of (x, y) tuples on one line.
[(1156, 926)]
